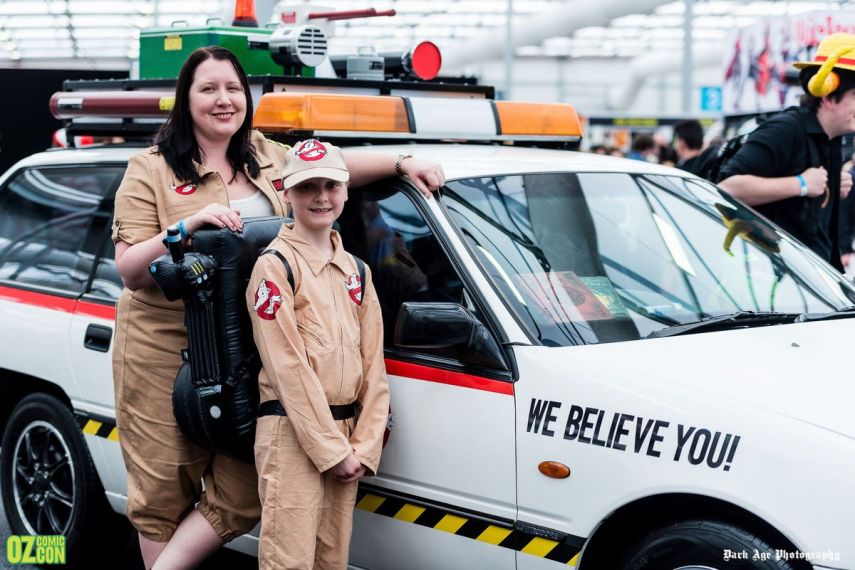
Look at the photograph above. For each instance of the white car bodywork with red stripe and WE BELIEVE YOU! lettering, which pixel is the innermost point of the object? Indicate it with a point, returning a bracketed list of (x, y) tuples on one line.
[(776, 400)]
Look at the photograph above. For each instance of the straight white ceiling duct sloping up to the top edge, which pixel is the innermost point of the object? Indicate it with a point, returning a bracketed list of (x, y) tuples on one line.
[(532, 30)]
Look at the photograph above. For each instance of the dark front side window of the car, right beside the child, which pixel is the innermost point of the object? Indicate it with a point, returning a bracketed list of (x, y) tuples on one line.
[(405, 257)]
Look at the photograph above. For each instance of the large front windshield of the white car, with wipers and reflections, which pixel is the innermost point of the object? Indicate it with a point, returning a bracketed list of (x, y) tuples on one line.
[(607, 257)]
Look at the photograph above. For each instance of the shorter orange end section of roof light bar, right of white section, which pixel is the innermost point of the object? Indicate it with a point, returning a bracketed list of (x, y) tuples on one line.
[(558, 119)]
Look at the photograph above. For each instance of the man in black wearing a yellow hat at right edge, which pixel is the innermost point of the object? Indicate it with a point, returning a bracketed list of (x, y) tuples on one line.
[(790, 168)]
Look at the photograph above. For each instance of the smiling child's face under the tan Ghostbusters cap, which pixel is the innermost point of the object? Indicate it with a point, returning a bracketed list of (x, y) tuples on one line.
[(317, 202)]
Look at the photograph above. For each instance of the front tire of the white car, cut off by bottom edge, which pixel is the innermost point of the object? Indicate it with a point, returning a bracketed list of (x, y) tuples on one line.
[(701, 545)]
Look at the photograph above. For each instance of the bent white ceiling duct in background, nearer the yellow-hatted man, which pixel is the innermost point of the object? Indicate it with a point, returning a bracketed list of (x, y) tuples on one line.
[(656, 64)]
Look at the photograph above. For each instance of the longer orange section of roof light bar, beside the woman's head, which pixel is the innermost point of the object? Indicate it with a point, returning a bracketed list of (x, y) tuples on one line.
[(285, 112)]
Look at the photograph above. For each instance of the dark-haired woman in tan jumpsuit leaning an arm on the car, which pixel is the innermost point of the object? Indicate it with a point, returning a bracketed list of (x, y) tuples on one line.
[(206, 158)]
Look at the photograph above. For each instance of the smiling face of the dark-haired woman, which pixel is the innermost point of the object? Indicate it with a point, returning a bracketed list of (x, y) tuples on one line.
[(217, 101)]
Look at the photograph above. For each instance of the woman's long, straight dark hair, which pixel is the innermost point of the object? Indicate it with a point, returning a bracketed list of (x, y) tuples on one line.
[(176, 140)]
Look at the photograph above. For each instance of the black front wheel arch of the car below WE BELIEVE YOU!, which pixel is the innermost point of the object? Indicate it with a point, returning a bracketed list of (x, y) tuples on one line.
[(638, 518)]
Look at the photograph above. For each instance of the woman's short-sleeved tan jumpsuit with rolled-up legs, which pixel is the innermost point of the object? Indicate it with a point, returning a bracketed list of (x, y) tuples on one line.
[(165, 469)]
